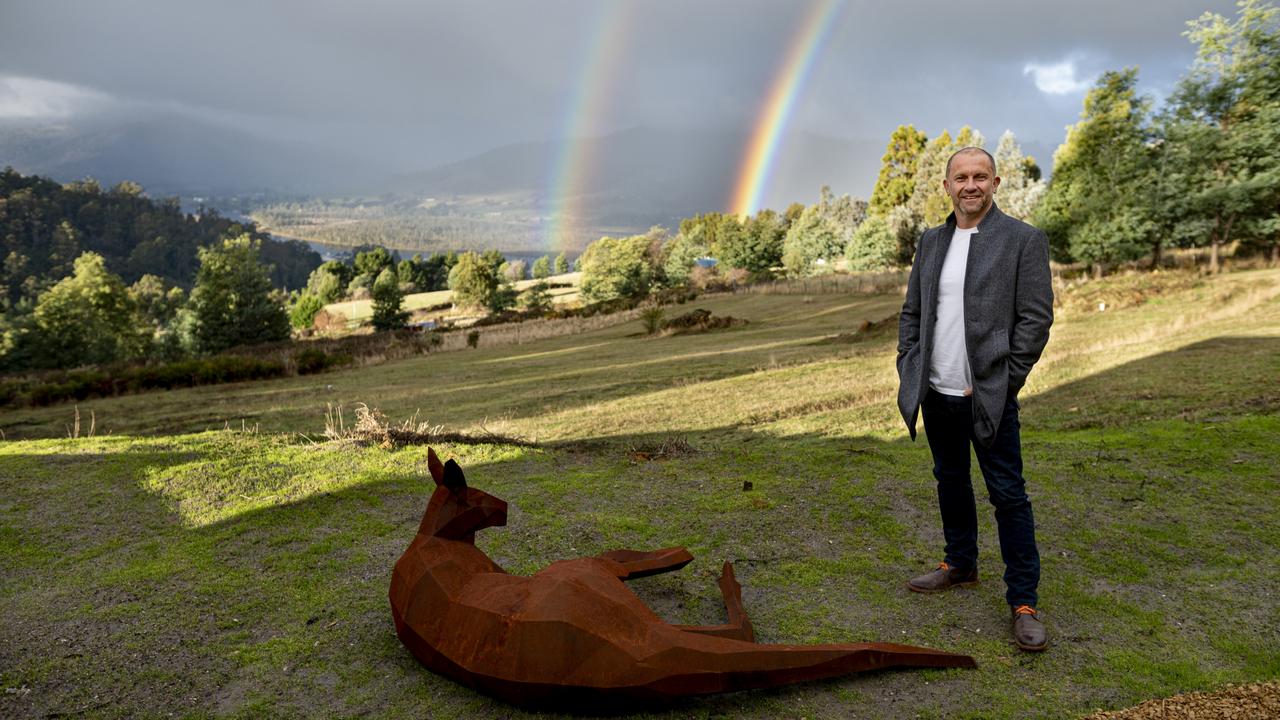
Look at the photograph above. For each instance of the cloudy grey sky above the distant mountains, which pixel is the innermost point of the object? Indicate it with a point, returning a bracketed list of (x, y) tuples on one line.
[(414, 84)]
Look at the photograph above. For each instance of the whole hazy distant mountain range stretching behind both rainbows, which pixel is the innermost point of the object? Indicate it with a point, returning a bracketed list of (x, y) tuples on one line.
[(633, 179)]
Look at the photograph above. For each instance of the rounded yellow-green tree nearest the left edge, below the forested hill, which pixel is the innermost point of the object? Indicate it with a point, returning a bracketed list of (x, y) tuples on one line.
[(88, 320)]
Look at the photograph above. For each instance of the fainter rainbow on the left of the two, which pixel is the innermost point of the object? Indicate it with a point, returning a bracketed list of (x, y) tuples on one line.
[(572, 170)]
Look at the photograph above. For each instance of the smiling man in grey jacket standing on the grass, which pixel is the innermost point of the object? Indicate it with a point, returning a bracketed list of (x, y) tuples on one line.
[(979, 308)]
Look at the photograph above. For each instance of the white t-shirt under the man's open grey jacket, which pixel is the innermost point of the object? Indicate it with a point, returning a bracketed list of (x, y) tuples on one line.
[(949, 363)]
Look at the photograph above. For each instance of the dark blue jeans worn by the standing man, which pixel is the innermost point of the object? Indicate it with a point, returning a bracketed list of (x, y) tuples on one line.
[(949, 425)]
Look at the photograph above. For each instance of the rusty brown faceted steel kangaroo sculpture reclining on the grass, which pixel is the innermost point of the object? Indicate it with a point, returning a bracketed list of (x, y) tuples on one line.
[(573, 635)]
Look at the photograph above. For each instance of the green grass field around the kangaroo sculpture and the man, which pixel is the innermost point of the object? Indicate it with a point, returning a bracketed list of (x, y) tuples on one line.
[(207, 554)]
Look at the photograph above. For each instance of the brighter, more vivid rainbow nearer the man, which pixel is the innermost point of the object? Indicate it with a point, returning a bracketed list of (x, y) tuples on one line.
[(781, 102)]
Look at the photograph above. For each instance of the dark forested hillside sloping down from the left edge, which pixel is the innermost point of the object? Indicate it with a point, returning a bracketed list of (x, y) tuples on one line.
[(45, 226)]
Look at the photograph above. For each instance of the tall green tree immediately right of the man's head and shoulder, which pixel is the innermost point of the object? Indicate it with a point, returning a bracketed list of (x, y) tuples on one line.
[(1096, 211)]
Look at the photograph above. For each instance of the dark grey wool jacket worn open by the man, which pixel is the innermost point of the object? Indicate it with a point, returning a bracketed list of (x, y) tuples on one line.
[(1008, 311)]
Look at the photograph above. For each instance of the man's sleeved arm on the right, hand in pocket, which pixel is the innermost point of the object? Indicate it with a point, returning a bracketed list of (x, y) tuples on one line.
[(1034, 311)]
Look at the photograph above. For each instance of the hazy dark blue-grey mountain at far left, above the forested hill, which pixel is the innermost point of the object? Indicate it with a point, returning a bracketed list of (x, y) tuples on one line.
[(175, 154)]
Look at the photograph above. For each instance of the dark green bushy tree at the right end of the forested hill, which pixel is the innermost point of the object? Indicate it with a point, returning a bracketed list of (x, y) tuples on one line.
[(232, 302)]
